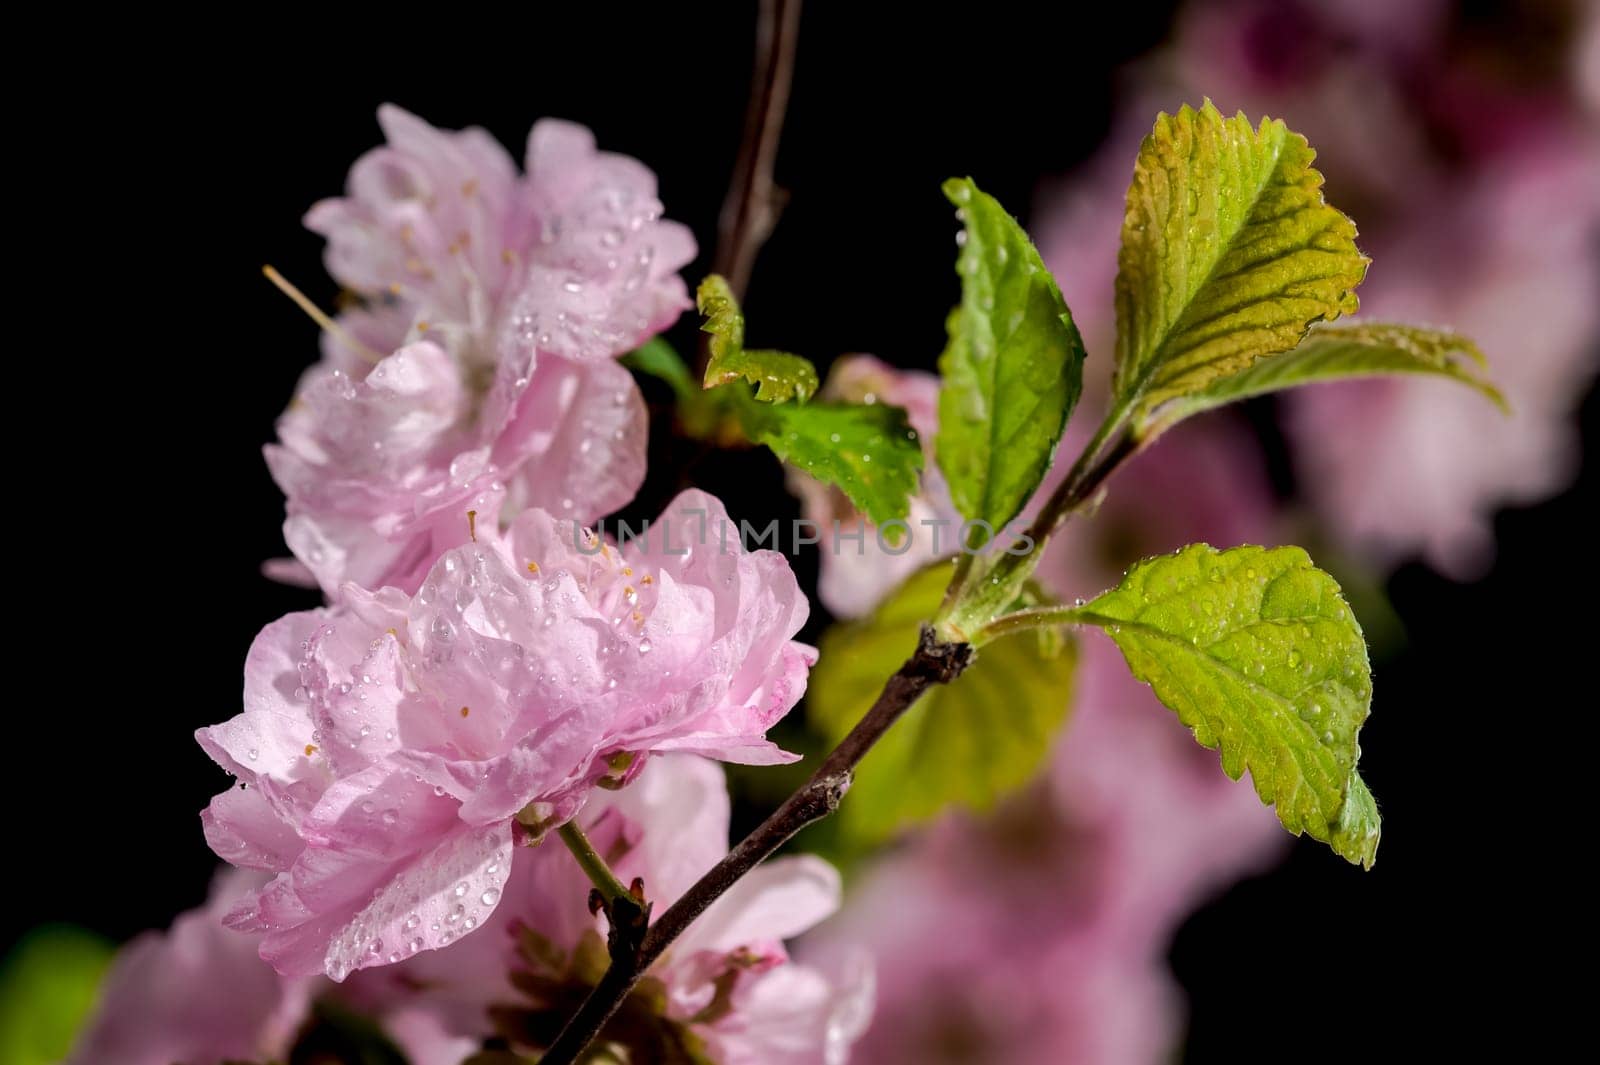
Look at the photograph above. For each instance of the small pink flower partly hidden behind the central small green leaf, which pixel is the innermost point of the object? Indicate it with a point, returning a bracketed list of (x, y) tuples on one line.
[(857, 573)]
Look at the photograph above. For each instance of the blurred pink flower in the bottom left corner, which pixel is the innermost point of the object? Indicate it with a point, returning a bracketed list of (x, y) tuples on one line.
[(196, 994)]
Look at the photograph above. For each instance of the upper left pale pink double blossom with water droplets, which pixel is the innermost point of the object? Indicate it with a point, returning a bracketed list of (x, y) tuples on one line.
[(503, 300)]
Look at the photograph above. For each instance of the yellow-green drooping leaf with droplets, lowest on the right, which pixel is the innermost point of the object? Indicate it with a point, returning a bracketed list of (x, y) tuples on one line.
[(1258, 655)]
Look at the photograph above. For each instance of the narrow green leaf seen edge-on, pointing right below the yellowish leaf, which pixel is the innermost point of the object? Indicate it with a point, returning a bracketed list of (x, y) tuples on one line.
[(1343, 353)]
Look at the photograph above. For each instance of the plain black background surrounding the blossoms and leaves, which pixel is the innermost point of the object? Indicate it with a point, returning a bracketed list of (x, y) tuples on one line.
[(169, 359)]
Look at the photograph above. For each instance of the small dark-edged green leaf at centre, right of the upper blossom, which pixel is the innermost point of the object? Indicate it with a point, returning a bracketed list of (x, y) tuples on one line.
[(870, 452)]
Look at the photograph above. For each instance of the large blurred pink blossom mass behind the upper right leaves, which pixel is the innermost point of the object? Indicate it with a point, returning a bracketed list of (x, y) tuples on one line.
[(1495, 242)]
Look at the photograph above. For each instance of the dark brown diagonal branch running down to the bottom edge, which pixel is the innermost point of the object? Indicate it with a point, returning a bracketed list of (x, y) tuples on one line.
[(932, 664)]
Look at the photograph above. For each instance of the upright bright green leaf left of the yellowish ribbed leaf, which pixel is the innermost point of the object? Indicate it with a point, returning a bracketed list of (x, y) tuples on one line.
[(1014, 367)]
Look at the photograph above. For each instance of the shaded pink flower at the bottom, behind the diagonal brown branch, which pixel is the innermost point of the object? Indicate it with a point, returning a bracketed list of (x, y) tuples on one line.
[(729, 979)]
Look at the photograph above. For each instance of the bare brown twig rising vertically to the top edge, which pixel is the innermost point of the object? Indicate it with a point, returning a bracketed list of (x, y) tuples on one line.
[(753, 205)]
